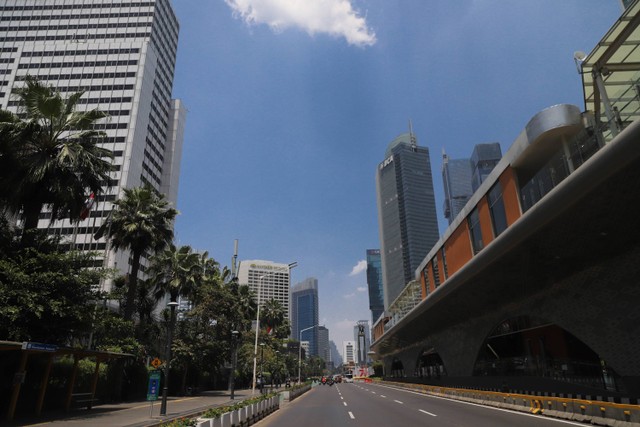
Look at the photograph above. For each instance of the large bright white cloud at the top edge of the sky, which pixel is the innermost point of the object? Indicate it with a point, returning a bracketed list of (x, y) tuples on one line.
[(334, 17)]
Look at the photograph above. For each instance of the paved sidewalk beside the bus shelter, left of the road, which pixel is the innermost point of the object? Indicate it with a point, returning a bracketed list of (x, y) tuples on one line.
[(134, 414)]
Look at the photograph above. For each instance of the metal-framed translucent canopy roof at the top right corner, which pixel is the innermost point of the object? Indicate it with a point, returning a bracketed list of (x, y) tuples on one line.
[(611, 75)]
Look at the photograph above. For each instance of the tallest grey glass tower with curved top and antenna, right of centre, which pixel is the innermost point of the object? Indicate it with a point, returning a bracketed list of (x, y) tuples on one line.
[(407, 219)]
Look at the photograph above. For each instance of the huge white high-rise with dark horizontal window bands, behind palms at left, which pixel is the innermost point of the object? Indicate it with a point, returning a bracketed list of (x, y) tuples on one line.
[(122, 54)]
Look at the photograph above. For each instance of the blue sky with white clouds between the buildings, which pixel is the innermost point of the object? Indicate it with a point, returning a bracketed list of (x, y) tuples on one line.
[(292, 104)]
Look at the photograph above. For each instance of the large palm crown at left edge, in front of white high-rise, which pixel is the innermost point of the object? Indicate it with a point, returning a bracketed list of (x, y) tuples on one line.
[(56, 161)]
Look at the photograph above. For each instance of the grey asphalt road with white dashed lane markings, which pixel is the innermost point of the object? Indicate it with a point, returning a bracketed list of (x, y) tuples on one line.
[(375, 405)]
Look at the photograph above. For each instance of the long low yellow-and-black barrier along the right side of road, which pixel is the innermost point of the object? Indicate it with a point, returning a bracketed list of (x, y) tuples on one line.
[(590, 411)]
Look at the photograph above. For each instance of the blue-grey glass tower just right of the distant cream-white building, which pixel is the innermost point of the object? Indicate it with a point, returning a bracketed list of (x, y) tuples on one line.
[(304, 312)]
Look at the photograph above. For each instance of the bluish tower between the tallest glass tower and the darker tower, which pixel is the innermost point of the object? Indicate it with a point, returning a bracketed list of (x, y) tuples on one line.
[(456, 179)]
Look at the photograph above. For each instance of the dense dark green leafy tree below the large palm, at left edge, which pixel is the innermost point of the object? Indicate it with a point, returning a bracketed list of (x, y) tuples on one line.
[(45, 295)]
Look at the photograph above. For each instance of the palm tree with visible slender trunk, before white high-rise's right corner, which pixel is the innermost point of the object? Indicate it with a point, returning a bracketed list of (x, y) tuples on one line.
[(142, 221)]
